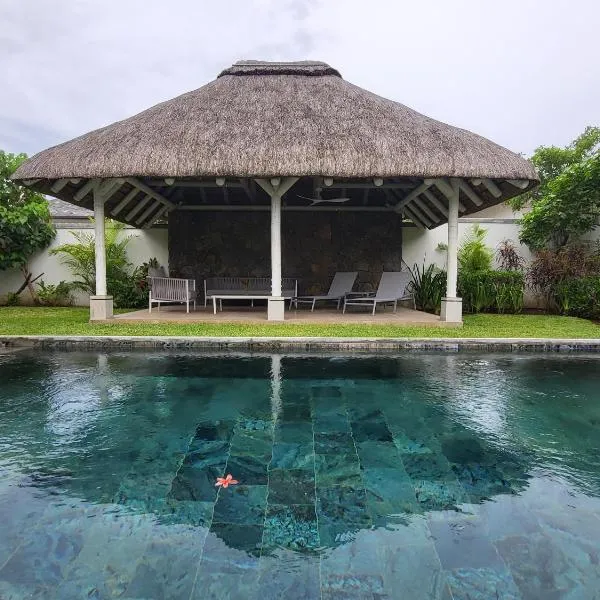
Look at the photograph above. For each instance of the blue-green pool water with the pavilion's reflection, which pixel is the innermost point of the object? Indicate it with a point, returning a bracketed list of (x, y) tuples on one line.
[(415, 476)]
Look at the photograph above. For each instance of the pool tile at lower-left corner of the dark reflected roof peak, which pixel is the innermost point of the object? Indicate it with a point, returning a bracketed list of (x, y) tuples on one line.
[(232, 546)]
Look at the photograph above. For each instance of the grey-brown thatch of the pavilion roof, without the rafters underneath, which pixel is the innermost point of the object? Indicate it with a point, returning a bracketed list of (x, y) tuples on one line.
[(262, 119)]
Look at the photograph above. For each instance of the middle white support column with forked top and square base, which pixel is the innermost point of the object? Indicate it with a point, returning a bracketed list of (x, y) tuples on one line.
[(276, 188)]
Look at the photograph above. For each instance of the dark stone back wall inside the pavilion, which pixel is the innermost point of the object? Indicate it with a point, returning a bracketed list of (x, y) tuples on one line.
[(315, 246)]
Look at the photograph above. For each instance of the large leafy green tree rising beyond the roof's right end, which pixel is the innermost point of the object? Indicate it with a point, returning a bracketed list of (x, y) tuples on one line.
[(566, 205)]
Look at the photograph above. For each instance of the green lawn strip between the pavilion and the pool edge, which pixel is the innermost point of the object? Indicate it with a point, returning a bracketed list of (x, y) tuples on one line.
[(74, 321)]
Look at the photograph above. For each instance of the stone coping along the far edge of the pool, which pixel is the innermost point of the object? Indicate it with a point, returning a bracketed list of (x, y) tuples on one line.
[(307, 344)]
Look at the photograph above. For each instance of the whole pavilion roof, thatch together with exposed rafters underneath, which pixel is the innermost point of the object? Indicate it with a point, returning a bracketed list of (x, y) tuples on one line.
[(258, 125)]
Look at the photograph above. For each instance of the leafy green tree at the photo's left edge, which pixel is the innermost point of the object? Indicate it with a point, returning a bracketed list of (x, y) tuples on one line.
[(25, 224)]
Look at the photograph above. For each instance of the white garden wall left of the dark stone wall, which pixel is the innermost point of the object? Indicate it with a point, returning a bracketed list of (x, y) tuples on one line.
[(145, 244)]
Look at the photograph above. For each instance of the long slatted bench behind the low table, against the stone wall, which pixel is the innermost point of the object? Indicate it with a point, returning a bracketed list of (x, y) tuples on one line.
[(251, 288)]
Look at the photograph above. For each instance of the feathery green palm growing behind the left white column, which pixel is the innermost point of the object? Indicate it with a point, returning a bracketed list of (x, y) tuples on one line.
[(121, 279)]
